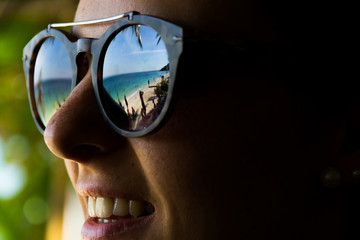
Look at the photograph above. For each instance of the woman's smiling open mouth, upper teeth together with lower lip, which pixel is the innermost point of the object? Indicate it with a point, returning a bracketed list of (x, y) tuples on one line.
[(109, 217)]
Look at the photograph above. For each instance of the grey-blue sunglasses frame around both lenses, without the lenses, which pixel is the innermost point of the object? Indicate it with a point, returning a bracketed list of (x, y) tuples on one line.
[(171, 34)]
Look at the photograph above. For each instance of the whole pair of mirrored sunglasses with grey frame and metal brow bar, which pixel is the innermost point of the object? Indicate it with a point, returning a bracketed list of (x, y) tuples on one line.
[(133, 66)]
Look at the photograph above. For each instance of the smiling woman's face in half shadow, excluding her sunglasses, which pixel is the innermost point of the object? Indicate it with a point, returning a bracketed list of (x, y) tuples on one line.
[(215, 169)]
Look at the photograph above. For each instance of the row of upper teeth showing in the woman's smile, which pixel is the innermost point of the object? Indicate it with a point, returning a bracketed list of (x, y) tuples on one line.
[(104, 207)]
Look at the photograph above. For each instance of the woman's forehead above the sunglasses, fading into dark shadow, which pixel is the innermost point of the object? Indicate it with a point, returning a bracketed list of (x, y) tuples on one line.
[(236, 17)]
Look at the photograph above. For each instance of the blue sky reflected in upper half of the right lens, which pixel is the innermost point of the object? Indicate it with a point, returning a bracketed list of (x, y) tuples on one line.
[(125, 55)]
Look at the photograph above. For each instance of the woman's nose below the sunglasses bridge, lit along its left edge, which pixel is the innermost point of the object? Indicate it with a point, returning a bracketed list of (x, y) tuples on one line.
[(78, 130)]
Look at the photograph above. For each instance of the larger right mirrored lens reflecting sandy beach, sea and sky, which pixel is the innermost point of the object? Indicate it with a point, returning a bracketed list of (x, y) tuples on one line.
[(136, 75)]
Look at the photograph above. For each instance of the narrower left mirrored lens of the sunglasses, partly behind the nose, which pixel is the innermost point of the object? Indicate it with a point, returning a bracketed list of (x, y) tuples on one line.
[(52, 78)]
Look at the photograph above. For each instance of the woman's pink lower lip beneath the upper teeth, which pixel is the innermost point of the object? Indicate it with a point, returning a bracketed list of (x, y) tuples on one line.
[(112, 230)]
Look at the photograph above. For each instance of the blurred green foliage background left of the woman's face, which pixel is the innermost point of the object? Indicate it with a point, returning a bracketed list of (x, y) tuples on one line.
[(31, 178)]
